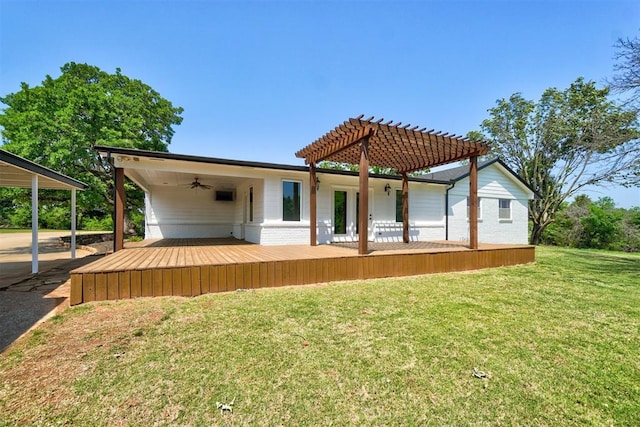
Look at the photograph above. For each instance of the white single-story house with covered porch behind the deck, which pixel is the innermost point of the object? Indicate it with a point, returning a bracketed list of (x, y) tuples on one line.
[(265, 203)]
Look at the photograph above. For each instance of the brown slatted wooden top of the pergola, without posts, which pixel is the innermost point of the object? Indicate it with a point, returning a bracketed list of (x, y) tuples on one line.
[(403, 148)]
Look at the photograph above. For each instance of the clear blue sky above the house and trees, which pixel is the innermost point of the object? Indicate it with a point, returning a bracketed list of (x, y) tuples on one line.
[(259, 80)]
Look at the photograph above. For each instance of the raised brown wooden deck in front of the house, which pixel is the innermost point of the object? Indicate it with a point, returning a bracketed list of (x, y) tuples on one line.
[(190, 267)]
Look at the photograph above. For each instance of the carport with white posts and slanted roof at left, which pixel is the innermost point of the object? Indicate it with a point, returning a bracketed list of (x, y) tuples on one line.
[(18, 172)]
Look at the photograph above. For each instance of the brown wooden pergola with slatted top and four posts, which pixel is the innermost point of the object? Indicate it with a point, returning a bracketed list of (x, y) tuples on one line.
[(366, 142)]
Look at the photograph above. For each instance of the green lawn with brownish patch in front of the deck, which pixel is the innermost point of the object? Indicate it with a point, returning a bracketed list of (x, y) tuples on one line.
[(558, 341)]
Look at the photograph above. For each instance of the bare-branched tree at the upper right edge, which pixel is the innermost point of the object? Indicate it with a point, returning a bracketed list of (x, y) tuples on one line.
[(627, 77)]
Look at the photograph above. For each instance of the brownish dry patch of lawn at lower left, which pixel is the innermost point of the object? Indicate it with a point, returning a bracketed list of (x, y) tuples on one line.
[(43, 368)]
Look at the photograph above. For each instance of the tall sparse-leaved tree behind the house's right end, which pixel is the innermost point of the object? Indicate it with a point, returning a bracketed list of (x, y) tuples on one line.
[(566, 141)]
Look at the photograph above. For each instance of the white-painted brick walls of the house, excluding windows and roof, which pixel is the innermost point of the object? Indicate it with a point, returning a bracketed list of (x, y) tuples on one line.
[(183, 212)]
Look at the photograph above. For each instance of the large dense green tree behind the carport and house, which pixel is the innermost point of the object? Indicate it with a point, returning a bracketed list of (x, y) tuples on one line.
[(57, 124)]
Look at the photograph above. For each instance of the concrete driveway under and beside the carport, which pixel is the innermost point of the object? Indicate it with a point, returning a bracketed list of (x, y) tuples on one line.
[(27, 299)]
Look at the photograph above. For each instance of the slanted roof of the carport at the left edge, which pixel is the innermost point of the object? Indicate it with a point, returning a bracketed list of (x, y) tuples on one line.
[(17, 172)]
